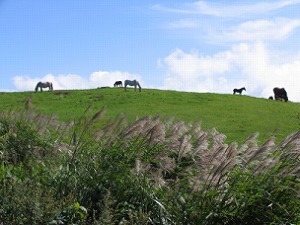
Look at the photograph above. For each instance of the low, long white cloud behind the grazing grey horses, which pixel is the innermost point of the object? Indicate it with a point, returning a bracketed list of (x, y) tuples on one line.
[(73, 81)]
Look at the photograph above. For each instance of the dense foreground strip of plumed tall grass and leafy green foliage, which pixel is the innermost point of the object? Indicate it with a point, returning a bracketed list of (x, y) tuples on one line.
[(149, 171)]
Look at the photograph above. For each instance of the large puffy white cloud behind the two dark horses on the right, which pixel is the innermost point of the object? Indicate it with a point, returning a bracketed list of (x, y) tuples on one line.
[(249, 65)]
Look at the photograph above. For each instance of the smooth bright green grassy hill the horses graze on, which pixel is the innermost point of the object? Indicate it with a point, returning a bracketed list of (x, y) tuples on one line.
[(236, 116)]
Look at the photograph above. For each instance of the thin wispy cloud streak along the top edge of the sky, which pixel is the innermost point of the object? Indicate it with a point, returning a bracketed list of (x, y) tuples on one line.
[(225, 10)]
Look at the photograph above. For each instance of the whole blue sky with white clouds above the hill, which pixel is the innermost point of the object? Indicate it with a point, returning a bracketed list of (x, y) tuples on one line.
[(198, 46)]
